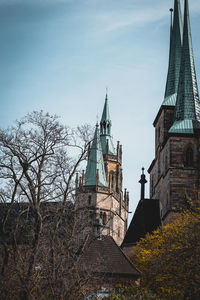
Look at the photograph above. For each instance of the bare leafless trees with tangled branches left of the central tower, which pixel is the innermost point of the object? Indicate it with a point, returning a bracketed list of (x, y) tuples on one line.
[(39, 158)]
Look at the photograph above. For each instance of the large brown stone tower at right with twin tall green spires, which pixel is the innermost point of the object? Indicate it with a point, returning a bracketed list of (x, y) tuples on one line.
[(175, 170)]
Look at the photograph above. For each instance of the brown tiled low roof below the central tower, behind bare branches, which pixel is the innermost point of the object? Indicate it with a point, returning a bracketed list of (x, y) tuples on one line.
[(104, 256)]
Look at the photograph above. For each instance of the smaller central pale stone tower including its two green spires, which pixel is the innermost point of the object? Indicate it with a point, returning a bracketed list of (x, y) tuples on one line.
[(99, 191)]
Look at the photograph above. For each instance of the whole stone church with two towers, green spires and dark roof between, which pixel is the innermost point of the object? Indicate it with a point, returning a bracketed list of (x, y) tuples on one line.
[(175, 170)]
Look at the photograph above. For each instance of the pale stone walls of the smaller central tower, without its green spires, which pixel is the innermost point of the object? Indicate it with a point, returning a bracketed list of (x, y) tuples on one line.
[(108, 204)]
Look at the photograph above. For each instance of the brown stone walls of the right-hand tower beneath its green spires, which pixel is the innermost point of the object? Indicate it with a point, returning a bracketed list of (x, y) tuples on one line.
[(174, 173)]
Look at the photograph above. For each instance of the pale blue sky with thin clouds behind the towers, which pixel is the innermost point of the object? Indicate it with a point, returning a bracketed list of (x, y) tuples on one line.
[(61, 55)]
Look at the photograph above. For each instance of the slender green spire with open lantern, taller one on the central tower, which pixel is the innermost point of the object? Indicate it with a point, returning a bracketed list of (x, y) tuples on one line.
[(106, 124)]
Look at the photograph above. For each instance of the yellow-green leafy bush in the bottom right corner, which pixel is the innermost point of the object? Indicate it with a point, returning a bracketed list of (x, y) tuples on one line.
[(169, 259)]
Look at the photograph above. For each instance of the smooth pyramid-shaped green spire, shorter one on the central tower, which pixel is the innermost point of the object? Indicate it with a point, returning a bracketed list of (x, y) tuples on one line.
[(95, 172)]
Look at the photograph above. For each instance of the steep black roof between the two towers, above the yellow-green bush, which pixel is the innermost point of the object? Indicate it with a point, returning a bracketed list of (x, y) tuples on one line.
[(145, 220)]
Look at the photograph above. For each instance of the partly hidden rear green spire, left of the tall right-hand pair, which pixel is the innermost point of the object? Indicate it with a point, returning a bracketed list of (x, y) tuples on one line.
[(174, 56)]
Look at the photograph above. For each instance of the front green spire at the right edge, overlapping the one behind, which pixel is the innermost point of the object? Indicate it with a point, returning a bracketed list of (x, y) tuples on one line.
[(187, 111)]
